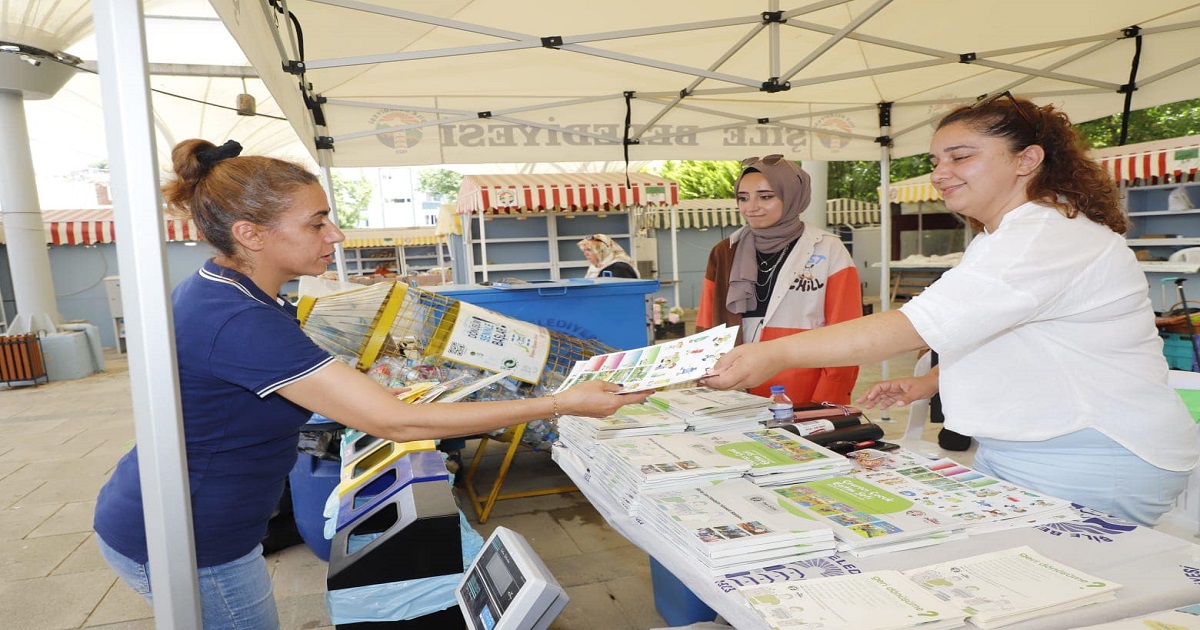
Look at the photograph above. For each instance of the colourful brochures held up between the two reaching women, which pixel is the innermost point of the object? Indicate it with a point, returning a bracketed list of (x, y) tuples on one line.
[(657, 367)]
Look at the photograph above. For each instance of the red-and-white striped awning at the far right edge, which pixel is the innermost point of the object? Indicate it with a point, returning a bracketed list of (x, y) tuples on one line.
[(1154, 163)]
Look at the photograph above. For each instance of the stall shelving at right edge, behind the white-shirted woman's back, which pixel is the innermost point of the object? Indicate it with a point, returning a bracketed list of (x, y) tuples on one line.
[(1160, 233)]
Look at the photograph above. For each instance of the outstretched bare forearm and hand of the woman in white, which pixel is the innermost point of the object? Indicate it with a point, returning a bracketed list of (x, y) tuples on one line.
[(874, 338)]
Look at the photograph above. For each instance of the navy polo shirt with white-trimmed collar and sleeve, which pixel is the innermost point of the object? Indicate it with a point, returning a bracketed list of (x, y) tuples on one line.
[(236, 346)]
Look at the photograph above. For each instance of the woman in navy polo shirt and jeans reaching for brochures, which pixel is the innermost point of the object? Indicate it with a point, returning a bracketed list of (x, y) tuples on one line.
[(250, 379)]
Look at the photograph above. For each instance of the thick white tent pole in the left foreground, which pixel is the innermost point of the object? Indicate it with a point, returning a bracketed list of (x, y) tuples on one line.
[(154, 371)]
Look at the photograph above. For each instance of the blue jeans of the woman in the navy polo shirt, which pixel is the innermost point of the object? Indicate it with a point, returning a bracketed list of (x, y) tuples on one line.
[(236, 596)]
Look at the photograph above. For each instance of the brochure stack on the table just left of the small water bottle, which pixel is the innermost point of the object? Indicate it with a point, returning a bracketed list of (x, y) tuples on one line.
[(710, 411)]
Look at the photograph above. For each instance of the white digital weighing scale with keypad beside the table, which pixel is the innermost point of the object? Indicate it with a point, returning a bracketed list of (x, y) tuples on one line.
[(508, 587)]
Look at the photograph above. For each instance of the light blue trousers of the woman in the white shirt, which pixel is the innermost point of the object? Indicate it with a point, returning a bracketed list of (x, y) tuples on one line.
[(1089, 469)]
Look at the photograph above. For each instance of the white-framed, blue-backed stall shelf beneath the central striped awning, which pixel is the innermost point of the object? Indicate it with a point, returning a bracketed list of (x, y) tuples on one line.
[(539, 247)]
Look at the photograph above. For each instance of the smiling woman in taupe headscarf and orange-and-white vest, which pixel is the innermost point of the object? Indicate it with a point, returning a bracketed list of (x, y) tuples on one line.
[(777, 277)]
